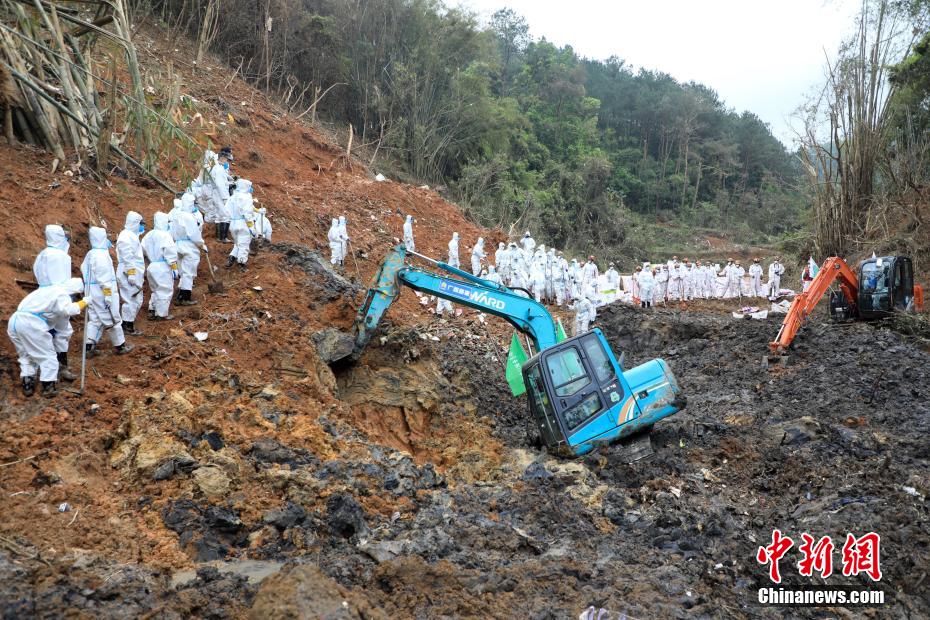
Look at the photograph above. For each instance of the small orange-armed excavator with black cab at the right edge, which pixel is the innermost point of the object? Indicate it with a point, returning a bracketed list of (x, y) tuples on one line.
[(884, 285)]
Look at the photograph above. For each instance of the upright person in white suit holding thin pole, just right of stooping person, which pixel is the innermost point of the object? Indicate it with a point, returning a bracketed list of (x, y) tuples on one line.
[(103, 309)]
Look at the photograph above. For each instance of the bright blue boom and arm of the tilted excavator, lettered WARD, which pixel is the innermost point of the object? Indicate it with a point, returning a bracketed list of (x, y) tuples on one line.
[(526, 315)]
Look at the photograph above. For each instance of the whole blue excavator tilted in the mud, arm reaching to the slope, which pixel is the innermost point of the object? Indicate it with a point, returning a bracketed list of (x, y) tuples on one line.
[(579, 395)]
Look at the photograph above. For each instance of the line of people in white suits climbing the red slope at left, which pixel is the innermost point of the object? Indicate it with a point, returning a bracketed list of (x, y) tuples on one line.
[(113, 295)]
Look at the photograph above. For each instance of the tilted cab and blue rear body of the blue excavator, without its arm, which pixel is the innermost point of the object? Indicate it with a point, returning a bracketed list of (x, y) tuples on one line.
[(580, 397)]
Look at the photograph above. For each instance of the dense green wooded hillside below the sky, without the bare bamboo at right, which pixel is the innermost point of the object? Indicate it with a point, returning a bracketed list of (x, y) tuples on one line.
[(586, 153)]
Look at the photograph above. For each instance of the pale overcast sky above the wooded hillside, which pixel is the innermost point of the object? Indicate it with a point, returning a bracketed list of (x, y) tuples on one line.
[(764, 56)]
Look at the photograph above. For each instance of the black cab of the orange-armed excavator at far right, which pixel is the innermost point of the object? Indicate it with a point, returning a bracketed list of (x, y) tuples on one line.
[(886, 285)]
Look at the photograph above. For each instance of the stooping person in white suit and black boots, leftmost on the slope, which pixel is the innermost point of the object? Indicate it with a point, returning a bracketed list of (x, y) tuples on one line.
[(30, 330)]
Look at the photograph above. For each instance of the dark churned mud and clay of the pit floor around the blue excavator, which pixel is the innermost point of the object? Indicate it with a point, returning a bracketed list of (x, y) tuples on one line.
[(441, 507)]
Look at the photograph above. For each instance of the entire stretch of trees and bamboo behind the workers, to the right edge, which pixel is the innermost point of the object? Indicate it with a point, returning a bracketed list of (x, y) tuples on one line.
[(595, 154)]
